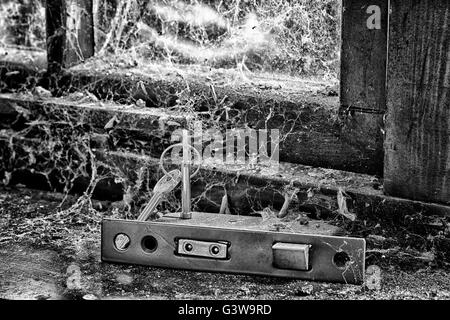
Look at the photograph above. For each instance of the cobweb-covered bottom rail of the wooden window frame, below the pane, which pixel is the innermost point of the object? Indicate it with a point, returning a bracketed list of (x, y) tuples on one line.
[(311, 131)]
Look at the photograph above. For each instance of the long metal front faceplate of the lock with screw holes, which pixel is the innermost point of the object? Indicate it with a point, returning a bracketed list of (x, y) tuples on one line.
[(330, 258)]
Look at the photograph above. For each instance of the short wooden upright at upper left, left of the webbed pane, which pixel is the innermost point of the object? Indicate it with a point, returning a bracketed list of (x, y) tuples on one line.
[(70, 32)]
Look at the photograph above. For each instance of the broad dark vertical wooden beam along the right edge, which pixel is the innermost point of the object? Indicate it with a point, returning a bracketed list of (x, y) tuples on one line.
[(417, 146)]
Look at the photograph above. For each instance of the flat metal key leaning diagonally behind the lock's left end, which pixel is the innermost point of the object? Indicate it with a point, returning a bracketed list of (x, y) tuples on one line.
[(165, 185)]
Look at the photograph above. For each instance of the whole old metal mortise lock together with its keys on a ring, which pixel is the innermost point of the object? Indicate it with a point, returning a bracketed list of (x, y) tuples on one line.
[(220, 242)]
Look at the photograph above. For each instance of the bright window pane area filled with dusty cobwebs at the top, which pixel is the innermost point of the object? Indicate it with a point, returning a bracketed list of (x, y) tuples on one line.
[(297, 38)]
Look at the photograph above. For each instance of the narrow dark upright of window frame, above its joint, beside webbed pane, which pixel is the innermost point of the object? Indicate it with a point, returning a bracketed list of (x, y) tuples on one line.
[(363, 55)]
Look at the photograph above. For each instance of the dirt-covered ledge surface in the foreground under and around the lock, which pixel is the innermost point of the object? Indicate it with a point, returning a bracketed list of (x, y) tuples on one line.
[(48, 255)]
